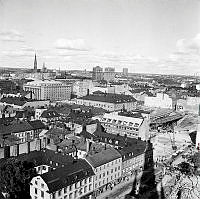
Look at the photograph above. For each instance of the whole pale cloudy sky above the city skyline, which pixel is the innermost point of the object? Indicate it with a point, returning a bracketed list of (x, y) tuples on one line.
[(145, 36)]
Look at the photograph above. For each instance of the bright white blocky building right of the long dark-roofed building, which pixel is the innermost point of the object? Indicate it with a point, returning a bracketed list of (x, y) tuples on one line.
[(160, 101)]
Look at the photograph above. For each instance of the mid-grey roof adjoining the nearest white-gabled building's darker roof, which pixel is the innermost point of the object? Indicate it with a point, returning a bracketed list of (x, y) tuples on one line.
[(103, 157)]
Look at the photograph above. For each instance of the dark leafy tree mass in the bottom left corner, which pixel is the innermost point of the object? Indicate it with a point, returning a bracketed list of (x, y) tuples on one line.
[(15, 177)]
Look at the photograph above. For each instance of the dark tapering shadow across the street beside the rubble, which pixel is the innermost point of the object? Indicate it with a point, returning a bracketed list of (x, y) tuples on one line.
[(145, 187)]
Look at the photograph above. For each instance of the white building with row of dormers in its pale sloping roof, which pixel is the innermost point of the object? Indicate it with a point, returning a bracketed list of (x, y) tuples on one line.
[(132, 125)]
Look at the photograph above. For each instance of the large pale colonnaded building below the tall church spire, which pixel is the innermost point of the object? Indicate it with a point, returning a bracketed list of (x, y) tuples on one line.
[(49, 90)]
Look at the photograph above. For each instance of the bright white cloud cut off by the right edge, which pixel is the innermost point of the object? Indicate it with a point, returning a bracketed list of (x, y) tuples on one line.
[(189, 45)]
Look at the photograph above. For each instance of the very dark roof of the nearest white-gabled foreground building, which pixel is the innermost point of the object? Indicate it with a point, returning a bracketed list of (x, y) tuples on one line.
[(67, 175)]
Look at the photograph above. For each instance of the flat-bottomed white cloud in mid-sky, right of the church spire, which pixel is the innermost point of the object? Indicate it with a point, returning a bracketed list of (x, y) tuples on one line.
[(74, 44)]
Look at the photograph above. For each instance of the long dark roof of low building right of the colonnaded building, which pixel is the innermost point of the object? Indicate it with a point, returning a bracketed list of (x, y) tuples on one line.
[(110, 98)]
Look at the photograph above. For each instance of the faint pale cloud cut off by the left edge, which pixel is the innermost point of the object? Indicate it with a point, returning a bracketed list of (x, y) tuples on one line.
[(11, 35)]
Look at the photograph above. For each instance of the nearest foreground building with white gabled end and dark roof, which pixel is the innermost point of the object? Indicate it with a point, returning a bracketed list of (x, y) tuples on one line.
[(73, 180)]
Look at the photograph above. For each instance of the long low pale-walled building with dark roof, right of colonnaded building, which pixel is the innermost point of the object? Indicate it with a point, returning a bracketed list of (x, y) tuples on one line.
[(107, 101)]
